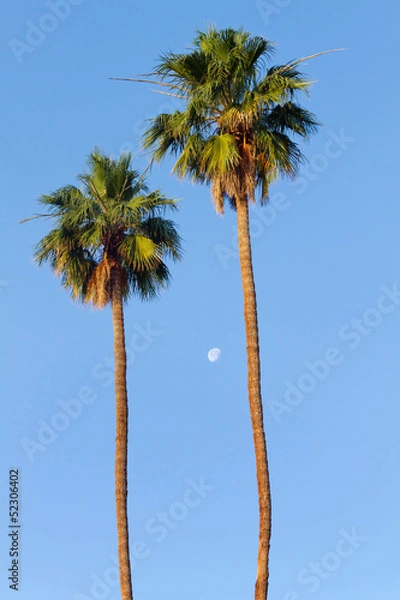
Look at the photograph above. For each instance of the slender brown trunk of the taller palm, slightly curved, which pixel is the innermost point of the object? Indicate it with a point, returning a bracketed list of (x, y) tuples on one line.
[(254, 391)]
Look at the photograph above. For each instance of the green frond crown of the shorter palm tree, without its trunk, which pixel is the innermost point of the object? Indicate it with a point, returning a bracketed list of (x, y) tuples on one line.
[(112, 223)]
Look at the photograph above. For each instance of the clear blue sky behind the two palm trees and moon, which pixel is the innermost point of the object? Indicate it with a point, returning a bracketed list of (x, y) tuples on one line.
[(322, 260)]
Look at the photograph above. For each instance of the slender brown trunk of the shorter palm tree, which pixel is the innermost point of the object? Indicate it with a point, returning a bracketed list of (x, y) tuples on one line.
[(121, 441)]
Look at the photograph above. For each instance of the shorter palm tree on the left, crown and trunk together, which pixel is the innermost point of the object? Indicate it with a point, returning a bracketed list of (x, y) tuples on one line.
[(109, 242)]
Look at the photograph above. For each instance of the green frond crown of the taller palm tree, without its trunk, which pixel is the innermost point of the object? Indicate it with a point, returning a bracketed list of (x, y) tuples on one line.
[(240, 118)]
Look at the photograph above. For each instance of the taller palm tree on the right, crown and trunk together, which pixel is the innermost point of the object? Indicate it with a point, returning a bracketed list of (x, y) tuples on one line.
[(235, 132)]
